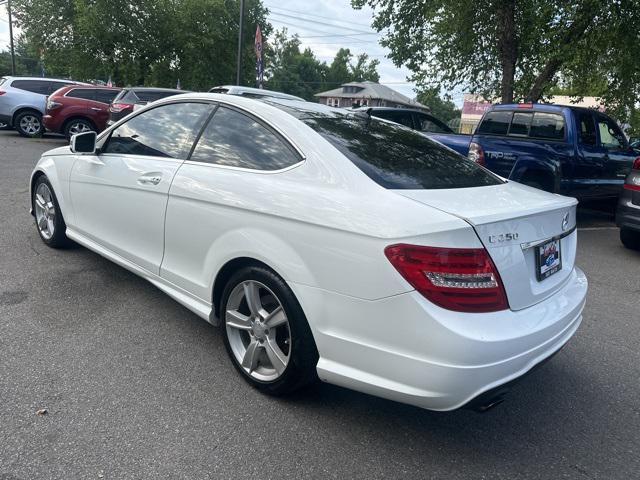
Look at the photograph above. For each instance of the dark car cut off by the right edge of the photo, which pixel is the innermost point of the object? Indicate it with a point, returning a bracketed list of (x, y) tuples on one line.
[(628, 213)]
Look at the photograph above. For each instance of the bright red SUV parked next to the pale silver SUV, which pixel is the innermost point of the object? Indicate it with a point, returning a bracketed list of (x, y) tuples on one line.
[(76, 109)]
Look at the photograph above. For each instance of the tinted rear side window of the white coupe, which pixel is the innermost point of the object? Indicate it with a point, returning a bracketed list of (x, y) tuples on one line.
[(236, 140)]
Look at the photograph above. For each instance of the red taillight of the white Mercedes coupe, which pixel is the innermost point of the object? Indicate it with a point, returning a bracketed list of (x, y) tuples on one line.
[(459, 279)]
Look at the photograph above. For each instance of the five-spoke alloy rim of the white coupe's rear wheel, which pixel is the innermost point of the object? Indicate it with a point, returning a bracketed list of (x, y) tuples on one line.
[(258, 331)]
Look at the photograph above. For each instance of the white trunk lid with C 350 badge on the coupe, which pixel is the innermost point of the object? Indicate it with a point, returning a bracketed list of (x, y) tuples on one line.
[(513, 222)]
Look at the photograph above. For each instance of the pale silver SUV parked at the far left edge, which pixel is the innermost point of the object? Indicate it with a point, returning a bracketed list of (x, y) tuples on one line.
[(23, 101)]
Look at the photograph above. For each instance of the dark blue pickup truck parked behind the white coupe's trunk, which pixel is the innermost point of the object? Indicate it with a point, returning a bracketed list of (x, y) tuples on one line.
[(565, 149)]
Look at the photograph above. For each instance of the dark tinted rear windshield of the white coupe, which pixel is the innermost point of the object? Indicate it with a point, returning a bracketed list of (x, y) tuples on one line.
[(397, 157)]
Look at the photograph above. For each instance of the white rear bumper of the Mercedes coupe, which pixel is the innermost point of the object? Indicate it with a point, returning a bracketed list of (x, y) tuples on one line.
[(406, 349)]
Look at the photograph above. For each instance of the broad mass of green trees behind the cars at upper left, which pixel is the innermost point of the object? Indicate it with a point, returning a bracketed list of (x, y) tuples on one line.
[(147, 42)]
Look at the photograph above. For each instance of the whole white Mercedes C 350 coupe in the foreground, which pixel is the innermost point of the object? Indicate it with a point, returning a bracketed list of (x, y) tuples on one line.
[(326, 243)]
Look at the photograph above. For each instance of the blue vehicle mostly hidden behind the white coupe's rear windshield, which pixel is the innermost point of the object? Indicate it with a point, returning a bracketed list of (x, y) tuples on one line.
[(423, 122)]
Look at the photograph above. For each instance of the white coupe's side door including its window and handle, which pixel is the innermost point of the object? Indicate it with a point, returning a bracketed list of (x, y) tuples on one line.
[(119, 195)]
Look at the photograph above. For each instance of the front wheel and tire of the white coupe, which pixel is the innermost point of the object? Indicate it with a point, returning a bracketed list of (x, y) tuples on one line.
[(48, 216)]
